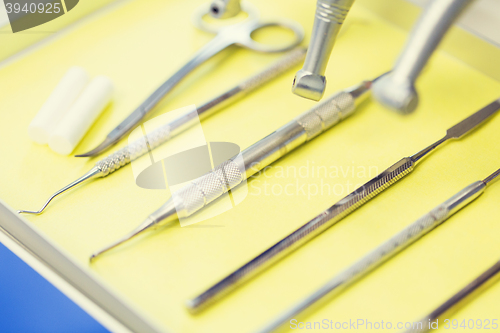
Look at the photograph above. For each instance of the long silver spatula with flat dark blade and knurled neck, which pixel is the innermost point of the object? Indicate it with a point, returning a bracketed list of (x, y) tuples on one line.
[(335, 213)]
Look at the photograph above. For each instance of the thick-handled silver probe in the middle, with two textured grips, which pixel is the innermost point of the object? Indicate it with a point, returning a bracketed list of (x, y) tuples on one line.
[(229, 174)]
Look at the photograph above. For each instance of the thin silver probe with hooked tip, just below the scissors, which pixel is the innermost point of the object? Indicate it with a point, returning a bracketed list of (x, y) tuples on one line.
[(165, 132)]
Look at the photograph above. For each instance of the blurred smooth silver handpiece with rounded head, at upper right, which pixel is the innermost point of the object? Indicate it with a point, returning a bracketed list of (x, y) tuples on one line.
[(397, 89)]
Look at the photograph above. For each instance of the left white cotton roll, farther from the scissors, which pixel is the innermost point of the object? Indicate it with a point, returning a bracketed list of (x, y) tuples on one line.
[(58, 103)]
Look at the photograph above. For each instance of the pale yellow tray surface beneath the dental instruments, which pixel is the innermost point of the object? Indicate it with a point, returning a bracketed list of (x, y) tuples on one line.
[(139, 45)]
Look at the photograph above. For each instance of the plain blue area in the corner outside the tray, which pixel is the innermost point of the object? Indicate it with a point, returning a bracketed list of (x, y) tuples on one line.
[(29, 303)]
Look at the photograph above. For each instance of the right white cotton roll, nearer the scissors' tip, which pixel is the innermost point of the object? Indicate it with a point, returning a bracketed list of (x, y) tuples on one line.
[(81, 115)]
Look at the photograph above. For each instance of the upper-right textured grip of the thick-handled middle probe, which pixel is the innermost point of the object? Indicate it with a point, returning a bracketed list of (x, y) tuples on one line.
[(326, 114)]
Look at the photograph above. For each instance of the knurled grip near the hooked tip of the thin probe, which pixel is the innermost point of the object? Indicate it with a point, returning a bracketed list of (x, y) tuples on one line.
[(134, 150)]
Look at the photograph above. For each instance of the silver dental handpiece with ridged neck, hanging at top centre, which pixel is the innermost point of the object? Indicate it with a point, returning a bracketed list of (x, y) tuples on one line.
[(310, 81)]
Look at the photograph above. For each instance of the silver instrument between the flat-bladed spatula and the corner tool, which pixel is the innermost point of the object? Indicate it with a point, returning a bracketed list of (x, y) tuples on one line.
[(388, 249)]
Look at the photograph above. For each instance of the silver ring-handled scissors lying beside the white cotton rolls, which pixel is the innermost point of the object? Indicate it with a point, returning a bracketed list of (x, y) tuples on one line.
[(238, 34)]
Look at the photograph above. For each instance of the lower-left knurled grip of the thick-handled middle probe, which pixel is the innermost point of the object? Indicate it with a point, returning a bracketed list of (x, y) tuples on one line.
[(202, 191)]
